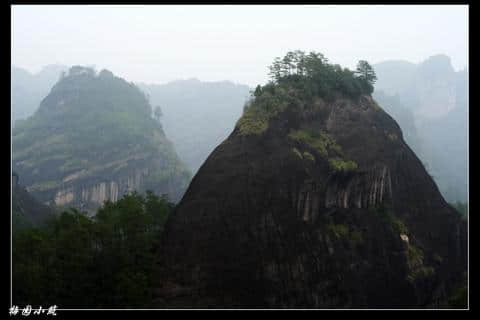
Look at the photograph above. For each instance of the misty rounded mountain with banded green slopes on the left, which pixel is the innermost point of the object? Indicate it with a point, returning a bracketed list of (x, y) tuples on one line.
[(93, 138)]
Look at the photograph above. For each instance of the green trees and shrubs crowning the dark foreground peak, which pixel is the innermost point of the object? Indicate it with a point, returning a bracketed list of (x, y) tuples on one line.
[(296, 81)]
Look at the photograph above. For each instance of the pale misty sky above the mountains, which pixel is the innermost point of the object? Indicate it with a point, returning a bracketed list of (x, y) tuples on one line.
[(158, 43)]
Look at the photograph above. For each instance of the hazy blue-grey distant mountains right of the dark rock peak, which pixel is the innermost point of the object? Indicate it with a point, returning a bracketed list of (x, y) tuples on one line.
[(430, 102)]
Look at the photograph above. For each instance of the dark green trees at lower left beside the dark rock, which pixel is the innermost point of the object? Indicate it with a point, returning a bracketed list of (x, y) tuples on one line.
[(107, 261)]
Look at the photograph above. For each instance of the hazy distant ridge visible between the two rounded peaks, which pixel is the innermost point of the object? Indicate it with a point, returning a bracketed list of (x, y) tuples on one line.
[(197, 115)]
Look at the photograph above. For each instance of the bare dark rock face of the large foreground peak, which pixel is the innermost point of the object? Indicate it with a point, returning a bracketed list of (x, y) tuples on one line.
[(268, 223)]
